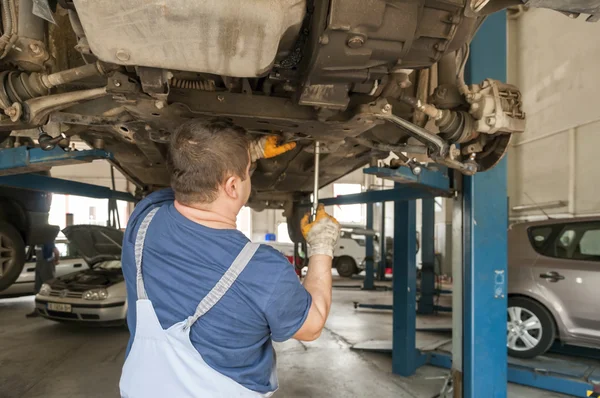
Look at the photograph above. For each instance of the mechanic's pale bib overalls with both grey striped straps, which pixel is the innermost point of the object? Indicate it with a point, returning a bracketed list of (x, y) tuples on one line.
[(164, 363)]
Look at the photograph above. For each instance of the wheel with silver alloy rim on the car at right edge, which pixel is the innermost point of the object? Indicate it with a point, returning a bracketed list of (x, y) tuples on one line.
[(541, 332)]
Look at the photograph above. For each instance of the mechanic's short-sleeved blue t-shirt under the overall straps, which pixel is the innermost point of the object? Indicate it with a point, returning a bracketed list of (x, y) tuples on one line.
[(183, 260)]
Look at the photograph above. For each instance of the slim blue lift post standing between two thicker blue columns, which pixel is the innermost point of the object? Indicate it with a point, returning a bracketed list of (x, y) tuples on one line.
[(426, 304)]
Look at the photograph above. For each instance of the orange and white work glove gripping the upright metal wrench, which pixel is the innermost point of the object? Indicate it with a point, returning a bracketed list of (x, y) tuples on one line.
[(322, 234)]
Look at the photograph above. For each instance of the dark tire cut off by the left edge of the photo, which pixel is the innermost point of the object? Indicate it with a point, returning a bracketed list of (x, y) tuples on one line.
[(12, 254)]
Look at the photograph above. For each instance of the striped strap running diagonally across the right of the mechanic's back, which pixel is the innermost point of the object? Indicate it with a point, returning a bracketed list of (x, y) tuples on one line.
[(230, 276)]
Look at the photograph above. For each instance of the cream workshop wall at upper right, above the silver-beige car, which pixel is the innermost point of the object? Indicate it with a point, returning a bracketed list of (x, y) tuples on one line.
[(554, 60)]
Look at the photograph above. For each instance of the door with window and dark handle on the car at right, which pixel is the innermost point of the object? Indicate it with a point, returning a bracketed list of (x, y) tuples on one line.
[(568, 275)]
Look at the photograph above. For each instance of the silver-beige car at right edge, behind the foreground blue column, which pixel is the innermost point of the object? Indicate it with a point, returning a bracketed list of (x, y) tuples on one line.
[(554, 274)]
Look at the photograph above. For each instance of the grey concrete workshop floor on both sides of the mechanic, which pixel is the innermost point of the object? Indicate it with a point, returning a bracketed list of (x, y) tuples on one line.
[(40, 358)]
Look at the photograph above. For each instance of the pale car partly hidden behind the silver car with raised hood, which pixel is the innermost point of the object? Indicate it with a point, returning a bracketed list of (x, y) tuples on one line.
[(70, 261)]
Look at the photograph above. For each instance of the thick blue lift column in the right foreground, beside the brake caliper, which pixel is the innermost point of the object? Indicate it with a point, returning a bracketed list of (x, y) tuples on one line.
[(485, 224)]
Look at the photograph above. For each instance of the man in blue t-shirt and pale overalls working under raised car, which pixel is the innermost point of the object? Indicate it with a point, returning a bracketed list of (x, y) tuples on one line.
[(208, 301)]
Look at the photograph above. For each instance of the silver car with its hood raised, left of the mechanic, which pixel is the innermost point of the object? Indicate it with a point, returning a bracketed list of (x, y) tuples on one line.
[(96, 294)]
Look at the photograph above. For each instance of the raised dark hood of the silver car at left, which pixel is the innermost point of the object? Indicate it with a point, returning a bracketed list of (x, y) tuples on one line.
[(95, 243)]
